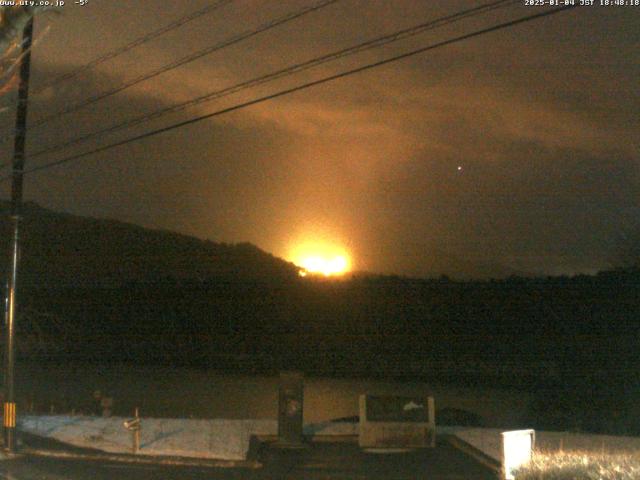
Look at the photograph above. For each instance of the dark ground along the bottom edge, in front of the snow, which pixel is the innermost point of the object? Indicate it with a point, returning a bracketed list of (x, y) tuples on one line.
[(320, 461)]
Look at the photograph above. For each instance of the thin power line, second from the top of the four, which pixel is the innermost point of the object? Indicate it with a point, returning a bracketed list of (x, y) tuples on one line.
[(185, 60)]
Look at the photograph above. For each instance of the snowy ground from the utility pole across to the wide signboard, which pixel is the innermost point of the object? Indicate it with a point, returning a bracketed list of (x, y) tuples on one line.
[(212, 439)]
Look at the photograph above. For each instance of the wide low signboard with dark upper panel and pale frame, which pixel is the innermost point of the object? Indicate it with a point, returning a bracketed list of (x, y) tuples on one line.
[(396, 422)]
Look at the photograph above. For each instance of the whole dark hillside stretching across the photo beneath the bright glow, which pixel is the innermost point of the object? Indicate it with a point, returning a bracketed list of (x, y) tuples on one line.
[(174, 300)]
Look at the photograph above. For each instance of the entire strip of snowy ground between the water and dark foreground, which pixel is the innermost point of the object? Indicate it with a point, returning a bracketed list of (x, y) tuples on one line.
[(230, 439)]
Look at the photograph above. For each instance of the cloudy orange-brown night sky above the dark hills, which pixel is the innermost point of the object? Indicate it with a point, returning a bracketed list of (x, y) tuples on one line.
[(513, 152)]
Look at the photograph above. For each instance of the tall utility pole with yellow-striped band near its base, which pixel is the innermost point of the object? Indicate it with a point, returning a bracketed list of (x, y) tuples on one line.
[(16, 214)]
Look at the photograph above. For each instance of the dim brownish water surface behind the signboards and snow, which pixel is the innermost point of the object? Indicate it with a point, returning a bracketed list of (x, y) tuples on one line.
[(178, 392)]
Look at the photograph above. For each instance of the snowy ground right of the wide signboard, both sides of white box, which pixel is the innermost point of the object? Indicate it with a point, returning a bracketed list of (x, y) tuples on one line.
[(489, 441)]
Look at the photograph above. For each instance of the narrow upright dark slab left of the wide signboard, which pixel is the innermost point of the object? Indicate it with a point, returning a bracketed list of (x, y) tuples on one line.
[(290, 403)]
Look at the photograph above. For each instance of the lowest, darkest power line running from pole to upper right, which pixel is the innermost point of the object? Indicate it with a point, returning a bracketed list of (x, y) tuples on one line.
[(298, 88)]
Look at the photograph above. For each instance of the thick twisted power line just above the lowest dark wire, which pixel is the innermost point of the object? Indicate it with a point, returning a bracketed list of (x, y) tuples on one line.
[(296, 68)]
